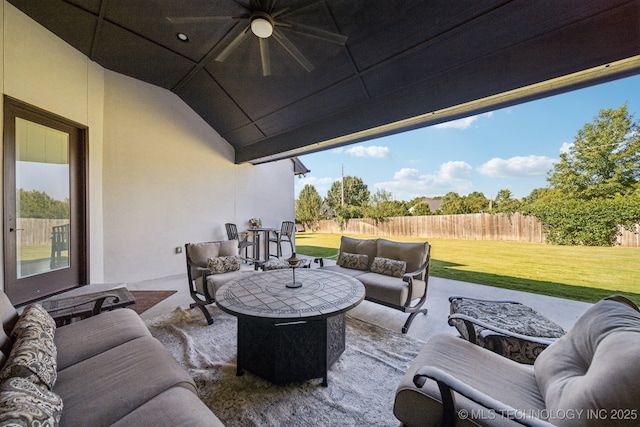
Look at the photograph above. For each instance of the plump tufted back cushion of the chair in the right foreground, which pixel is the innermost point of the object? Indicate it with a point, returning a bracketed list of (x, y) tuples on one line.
[(595, 366)]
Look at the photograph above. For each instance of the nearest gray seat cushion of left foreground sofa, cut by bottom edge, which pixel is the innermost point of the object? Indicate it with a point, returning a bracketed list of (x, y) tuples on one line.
[(161, 408)]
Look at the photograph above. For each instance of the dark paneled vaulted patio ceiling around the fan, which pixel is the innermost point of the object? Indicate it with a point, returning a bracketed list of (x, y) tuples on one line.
[(401, 59)]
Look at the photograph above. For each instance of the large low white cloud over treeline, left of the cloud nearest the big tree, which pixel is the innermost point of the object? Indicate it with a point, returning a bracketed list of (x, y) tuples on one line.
[(409, 182)]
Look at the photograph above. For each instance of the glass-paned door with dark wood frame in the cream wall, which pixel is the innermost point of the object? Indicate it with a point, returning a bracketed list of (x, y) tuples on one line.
[(45, 236)]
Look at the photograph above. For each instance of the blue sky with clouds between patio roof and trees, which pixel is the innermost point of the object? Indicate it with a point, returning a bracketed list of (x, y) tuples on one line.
[(510, 148)]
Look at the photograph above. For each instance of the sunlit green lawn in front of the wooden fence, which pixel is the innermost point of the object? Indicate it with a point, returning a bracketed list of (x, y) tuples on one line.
[(581, 273)]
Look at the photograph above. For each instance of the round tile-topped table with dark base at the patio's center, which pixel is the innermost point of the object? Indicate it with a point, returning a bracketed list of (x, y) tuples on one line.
[(290, 334)]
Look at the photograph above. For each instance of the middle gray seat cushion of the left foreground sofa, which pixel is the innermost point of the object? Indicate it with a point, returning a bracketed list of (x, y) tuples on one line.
[(106, 387)]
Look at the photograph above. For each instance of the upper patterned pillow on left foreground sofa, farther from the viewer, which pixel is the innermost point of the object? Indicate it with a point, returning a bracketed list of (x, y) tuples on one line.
[(33, 356)]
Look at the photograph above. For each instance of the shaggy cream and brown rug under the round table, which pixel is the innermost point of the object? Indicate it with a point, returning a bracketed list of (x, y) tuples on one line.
[(362, 382)]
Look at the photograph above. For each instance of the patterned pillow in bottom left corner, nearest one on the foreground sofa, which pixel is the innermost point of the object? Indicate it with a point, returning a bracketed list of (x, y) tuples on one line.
[(22, 403)]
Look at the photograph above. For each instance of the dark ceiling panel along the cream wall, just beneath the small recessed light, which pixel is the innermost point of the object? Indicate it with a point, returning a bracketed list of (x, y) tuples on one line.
[(124, 52)]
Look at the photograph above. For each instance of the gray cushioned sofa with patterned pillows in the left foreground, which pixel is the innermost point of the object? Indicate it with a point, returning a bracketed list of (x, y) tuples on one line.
[(104, 370)]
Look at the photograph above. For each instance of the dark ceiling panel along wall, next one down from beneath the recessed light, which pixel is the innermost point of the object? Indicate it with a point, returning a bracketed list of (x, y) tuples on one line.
[(210, 101)]
